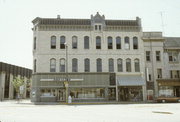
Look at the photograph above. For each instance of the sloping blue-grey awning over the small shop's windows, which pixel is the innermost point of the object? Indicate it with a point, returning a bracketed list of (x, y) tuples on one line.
[(130, 80)]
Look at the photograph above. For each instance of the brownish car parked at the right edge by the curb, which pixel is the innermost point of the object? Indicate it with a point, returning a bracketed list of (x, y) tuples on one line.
[(168, 99)]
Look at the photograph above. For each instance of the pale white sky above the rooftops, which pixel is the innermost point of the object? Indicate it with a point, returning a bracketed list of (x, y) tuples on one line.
[(16, 37)]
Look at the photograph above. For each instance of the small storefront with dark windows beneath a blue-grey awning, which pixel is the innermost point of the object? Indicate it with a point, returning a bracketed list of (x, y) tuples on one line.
[(131, 88)]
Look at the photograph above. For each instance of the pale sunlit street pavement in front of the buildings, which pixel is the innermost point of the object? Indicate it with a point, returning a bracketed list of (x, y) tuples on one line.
[(11, 111)]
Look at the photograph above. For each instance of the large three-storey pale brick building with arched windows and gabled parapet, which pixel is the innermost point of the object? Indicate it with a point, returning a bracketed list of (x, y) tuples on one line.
[(101, 59)]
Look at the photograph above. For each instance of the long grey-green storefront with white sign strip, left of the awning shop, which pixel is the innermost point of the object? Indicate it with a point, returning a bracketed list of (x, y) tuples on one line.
[(81, 87)]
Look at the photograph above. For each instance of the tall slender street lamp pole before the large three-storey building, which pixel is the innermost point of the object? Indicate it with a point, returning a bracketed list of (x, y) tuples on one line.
[(66, 83)]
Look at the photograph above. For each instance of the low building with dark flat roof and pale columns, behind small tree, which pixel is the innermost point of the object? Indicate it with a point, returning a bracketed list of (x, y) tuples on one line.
[(7, 73)]
